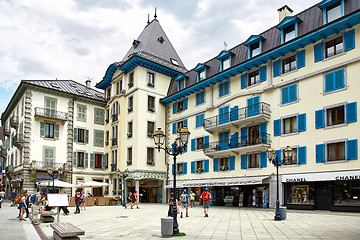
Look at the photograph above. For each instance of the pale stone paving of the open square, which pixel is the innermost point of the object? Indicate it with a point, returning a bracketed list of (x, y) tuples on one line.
[(114, 222)]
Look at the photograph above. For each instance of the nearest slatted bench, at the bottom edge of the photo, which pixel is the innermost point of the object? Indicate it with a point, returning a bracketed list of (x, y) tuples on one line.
[(66, 231)]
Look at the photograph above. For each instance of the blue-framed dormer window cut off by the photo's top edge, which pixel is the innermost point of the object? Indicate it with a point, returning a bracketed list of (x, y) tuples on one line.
[(332, 10)]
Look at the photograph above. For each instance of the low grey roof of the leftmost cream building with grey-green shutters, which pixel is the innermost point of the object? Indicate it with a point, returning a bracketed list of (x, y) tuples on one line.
[(68, 86)]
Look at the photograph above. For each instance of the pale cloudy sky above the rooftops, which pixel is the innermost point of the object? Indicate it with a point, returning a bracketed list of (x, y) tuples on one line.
[(79, 39)]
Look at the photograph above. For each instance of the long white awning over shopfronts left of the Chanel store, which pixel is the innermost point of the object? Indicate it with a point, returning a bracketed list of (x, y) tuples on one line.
[(219, 182)]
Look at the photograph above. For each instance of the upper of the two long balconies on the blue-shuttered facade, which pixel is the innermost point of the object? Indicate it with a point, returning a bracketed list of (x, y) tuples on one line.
[(237, 117)]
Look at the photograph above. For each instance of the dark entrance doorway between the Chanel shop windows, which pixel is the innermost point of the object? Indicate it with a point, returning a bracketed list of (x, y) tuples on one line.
[(323, 195)]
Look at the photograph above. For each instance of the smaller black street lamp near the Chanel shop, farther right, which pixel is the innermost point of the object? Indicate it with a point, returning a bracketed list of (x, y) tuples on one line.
[(276, 161)]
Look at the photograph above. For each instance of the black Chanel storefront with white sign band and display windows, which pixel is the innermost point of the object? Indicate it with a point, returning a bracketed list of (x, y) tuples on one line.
[(336, 191)]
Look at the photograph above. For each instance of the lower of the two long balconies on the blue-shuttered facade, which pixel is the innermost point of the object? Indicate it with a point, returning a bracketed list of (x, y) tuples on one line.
[(238, 145)]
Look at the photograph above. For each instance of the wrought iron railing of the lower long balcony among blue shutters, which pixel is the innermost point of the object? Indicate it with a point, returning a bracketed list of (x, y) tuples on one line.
[(238, 143)]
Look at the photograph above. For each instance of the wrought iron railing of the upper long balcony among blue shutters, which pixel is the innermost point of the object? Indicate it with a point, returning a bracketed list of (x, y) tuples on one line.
[(237, 115)]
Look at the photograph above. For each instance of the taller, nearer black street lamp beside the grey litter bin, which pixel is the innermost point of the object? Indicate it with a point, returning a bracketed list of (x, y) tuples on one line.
[(176, 149)]
